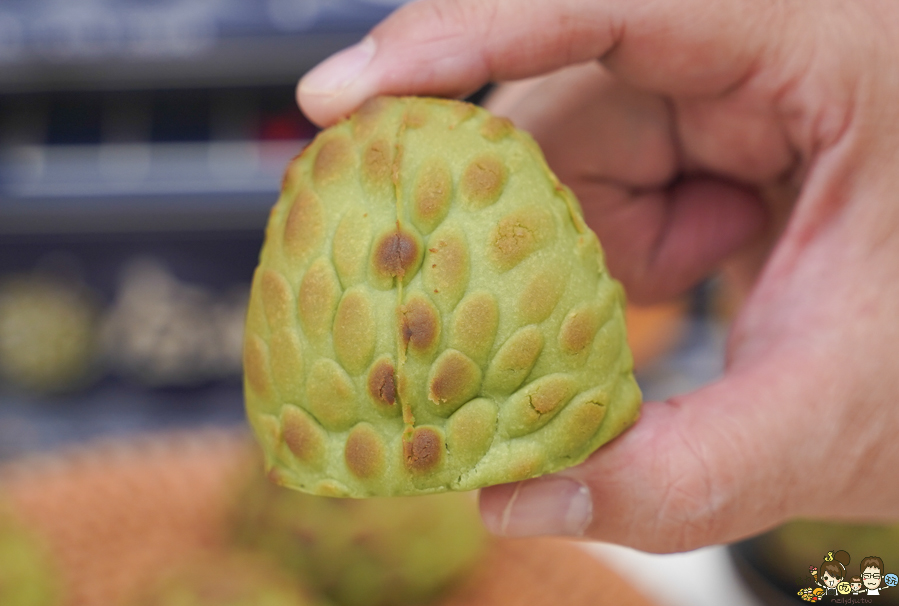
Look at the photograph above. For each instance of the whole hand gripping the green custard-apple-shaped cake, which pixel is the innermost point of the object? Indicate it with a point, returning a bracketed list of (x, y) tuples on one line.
[(756, 134)]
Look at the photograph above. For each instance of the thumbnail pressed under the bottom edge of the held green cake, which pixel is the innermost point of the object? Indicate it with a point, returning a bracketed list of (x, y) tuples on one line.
[(554, 505)]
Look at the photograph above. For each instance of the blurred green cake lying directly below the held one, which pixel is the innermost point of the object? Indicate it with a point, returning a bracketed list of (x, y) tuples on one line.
[(364, 552)]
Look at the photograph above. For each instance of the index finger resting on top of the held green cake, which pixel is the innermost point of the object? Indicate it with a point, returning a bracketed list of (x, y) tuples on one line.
[(452, 47)]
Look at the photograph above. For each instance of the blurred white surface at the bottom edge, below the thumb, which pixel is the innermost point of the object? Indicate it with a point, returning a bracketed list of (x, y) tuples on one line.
[(705, 577)]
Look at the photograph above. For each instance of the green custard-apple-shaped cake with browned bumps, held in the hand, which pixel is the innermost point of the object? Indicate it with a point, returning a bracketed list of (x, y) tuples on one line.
[(430, 311)]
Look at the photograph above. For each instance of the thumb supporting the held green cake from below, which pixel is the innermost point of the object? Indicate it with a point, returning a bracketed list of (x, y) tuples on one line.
[(695, 470)]
